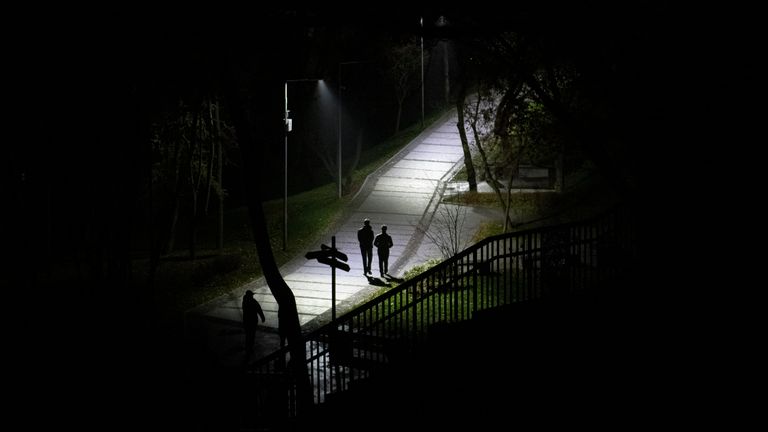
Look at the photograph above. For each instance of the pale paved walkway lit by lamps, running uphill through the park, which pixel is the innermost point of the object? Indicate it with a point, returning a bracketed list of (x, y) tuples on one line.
[(403, 194)]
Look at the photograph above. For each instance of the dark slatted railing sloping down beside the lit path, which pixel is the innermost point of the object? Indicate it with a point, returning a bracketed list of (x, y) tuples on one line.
[(497, 271)]
